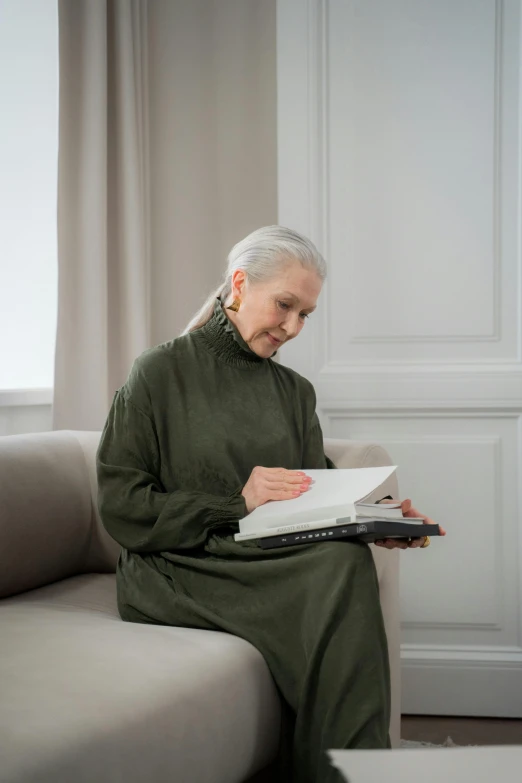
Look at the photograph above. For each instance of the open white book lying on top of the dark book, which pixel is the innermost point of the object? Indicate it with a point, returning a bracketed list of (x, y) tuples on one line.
[(335, 497)]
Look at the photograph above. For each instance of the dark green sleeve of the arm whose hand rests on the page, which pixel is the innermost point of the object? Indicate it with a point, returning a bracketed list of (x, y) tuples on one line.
[(134, 507)]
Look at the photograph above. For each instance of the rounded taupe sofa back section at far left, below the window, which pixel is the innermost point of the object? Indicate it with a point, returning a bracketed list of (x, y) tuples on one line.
[(48, 525)]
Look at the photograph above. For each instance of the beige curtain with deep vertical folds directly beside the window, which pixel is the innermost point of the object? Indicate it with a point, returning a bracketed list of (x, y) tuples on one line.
[(103, 206)]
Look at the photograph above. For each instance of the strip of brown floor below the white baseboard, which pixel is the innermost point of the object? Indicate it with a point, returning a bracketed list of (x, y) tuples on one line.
[(463, 731)]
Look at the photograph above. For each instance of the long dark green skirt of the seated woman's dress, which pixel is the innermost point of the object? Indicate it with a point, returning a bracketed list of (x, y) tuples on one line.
[(314, 613)]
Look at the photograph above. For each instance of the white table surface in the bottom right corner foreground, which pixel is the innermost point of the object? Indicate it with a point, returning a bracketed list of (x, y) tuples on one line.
[(486, 764)]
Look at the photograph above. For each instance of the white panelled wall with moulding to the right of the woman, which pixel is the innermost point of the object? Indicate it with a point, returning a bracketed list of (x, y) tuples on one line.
[(400, 154)]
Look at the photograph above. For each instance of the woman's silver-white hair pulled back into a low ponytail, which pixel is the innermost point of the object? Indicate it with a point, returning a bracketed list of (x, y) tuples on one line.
[(261, 255)]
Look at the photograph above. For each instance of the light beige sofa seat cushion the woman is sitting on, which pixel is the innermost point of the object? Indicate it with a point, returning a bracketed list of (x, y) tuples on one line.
[(86, 696)]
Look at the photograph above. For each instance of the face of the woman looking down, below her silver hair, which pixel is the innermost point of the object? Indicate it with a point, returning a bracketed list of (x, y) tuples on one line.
[(275, 310)]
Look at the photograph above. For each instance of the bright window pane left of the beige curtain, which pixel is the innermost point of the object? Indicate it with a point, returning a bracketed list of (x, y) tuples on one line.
[(28, 187)]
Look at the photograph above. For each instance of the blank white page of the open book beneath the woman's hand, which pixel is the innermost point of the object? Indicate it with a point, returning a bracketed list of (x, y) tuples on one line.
[(333, 494)]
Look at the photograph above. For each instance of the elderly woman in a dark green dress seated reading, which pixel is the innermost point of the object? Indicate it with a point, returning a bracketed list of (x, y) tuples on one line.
[(206, 428)]
